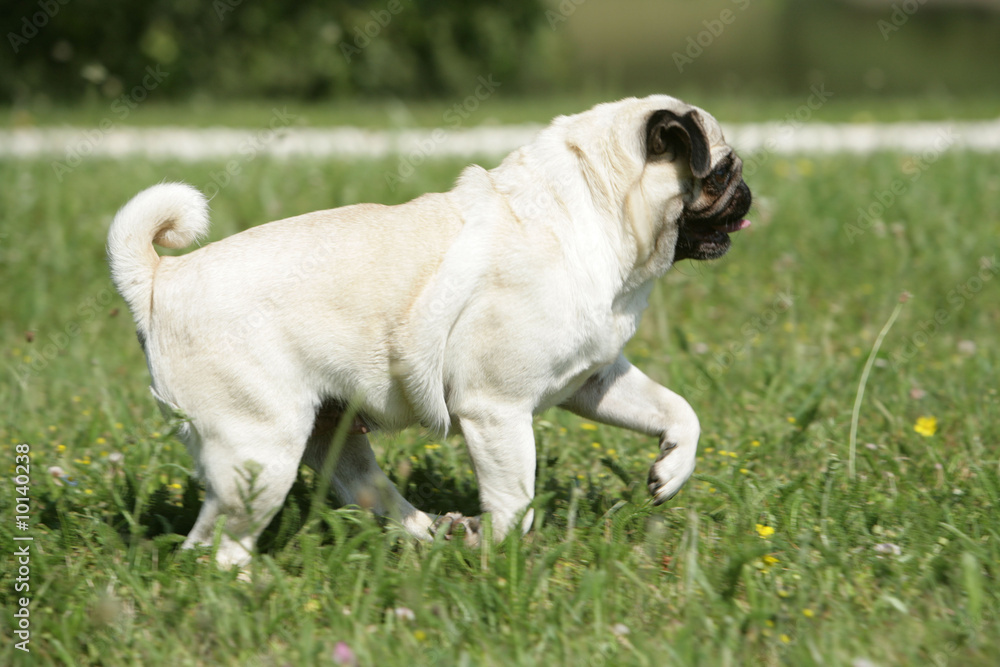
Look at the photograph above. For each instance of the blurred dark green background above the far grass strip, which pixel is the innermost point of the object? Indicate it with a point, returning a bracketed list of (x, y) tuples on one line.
[(66, 52)]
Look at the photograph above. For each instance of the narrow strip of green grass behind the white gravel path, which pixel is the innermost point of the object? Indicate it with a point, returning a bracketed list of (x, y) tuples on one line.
[(502, 108)]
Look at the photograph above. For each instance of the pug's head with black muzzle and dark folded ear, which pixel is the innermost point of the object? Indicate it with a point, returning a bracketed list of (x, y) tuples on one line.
[(663, 169)]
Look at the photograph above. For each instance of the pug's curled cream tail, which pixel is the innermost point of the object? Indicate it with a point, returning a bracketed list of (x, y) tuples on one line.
[(172, 215)]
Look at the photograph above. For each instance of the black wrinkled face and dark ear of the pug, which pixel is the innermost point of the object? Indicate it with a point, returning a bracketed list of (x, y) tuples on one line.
[(716, 197)]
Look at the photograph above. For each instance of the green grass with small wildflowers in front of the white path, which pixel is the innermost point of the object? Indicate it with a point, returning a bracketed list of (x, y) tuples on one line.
[(693, 581)]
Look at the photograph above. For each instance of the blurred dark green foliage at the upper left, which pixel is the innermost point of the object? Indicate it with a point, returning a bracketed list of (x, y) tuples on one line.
[(75, 49)]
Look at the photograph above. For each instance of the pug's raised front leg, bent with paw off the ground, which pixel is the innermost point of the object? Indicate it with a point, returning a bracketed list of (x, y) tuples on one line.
[(621, 395)]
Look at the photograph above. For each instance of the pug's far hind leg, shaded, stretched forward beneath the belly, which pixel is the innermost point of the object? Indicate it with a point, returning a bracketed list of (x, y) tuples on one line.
[(356, 478)]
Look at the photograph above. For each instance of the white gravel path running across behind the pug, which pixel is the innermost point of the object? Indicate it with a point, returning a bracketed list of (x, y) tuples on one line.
[(74, 144)]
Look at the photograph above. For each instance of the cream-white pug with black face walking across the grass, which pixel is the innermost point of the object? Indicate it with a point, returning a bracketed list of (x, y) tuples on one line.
[(468, 311)]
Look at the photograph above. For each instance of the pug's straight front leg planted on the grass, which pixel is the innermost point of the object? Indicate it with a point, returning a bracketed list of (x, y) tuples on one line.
[(502, 445)]
